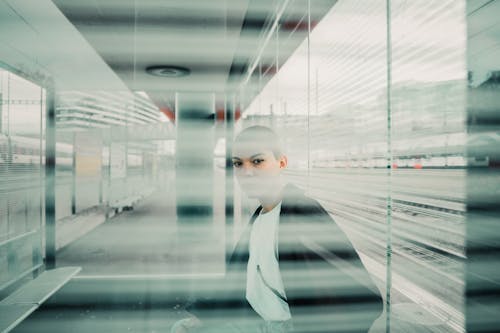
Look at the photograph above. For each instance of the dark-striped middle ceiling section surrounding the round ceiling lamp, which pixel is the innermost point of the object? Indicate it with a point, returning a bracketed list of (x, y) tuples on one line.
[(217, 40)]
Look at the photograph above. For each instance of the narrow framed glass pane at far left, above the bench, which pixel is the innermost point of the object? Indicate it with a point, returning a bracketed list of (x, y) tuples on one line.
[(21, 177)]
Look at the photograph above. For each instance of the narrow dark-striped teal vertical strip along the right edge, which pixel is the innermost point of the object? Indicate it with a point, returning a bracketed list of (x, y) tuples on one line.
[(483, 177)]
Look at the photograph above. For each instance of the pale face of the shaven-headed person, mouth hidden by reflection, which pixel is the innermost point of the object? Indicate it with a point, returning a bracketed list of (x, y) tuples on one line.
[(257, 169)]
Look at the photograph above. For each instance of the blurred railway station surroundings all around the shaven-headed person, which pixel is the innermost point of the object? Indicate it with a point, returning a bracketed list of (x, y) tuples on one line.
[(116, 123)]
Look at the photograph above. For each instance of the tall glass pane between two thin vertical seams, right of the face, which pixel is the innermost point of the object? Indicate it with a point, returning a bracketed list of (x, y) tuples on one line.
[(348, 135)]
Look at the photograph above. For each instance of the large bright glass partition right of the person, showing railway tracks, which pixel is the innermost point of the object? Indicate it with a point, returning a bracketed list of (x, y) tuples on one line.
[(371, 107)]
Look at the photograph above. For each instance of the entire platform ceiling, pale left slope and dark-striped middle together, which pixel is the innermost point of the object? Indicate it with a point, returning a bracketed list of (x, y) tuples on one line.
[(107, 44)]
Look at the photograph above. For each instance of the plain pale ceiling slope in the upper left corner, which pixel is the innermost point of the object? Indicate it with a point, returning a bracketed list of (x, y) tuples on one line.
[(37, 40)]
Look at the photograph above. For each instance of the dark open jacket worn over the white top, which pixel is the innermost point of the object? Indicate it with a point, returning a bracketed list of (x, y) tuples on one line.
[(327, 287)]
